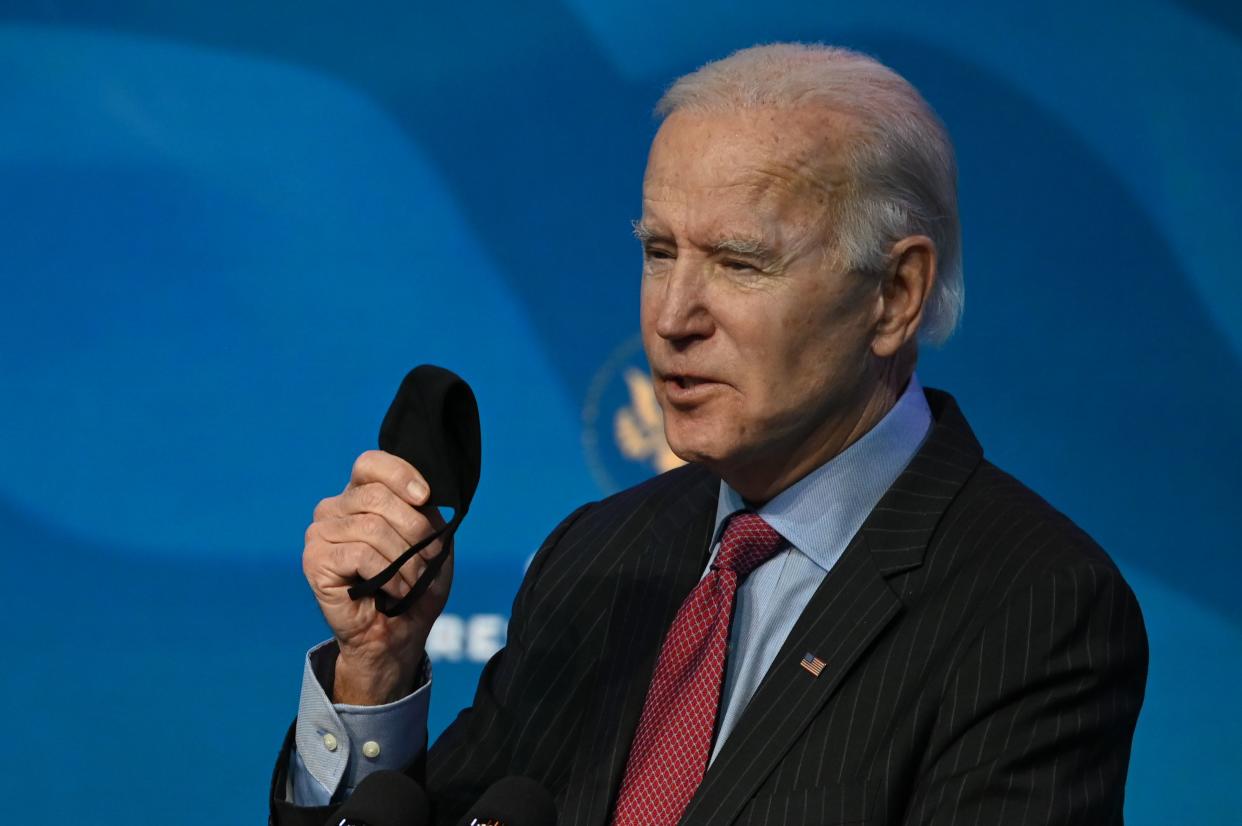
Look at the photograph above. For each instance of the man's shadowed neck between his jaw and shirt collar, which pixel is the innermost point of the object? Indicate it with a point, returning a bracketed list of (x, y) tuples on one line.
[(758, 483)]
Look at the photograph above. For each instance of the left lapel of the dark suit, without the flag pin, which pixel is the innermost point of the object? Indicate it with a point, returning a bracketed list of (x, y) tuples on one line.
[(650, 589)]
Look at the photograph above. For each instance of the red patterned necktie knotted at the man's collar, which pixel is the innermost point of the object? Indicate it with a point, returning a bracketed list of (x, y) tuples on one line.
[(671, 748)]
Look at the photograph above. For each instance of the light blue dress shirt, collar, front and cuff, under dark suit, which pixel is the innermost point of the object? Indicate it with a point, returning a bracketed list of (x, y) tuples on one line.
[(818, 517)]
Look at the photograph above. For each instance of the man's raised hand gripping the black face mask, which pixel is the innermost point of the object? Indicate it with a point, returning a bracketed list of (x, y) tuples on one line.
[(355, 536)]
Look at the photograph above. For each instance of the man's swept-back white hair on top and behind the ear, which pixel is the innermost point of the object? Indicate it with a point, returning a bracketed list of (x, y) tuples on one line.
[(902, 168)]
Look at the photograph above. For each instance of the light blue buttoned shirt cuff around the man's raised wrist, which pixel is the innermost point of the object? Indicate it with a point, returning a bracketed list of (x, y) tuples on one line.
[(340, 745)]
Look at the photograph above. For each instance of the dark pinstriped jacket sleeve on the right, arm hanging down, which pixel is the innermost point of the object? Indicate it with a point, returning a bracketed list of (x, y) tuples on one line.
[(1039, 715)]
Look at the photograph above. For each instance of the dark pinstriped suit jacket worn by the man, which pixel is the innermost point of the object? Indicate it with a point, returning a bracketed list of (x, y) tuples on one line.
[(986, 664)]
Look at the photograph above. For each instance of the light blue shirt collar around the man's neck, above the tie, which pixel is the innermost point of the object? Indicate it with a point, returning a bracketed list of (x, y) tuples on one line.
[(820, 514)]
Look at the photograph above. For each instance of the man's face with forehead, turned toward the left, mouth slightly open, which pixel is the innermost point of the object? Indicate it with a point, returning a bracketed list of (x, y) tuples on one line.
[(758, 340)]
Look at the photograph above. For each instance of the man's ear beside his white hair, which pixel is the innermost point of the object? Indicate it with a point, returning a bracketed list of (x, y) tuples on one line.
[(909, 281)]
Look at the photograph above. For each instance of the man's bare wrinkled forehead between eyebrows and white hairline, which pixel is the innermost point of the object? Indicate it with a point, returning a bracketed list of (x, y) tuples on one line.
[(706, 168)]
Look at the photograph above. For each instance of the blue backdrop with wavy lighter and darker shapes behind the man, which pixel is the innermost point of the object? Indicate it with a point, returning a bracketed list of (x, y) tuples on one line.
[(227, 230)]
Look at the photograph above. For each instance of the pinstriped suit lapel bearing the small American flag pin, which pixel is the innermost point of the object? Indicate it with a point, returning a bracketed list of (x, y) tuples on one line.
[(848, 613)]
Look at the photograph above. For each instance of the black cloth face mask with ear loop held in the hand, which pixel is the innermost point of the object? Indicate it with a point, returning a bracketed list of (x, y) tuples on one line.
[(433, 424)]
